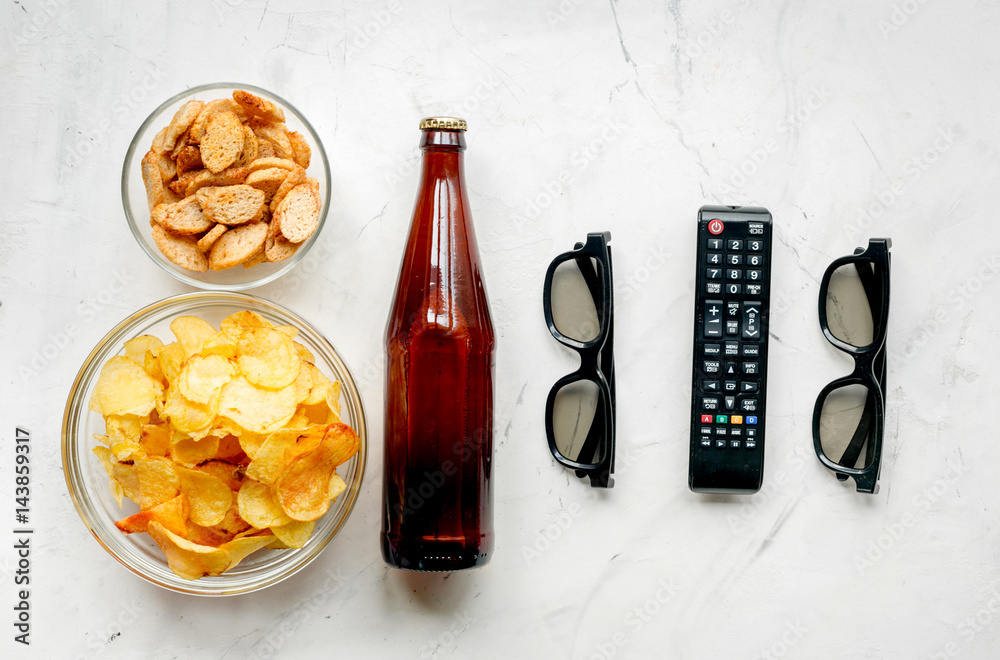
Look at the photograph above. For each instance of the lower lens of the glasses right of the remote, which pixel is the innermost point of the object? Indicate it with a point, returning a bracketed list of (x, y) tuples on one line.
[(846, 424)]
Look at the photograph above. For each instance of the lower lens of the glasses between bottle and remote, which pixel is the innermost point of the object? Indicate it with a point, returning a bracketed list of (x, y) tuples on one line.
[(578, 421)]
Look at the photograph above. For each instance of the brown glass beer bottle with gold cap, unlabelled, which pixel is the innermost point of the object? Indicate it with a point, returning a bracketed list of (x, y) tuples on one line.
[(437, 504)]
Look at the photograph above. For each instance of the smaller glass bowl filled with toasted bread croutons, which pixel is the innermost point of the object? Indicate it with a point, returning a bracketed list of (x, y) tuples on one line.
[(226, 186)]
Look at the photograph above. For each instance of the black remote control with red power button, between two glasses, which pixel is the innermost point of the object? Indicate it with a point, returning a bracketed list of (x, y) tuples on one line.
[(732, 297)]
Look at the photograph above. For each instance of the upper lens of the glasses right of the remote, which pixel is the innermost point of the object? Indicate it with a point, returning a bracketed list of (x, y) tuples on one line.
[(848, 310)]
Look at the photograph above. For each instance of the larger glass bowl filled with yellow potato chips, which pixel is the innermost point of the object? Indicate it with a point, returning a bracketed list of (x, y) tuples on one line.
[(214, 443)]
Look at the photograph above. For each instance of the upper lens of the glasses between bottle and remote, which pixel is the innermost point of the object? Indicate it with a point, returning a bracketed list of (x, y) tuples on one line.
[(576, 288)]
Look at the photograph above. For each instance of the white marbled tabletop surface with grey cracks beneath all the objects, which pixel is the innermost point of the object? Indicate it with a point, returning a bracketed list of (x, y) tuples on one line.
[(850, 119)]
